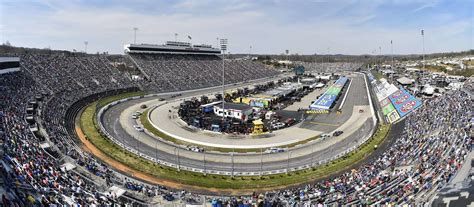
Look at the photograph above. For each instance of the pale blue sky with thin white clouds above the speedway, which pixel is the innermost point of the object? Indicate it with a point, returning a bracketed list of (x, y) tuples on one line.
[(254, 26)]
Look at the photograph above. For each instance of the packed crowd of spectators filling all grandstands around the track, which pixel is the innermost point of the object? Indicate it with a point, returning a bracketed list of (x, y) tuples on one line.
[(428, 154)]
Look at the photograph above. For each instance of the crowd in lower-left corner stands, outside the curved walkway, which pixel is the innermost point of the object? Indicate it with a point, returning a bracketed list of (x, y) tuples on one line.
[(32, 176)]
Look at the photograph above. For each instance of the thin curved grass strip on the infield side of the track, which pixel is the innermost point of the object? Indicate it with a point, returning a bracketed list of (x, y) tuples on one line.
[(147, 125)]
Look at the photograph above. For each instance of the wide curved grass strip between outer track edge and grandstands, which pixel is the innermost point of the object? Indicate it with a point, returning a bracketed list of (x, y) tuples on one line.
[(89, 128)]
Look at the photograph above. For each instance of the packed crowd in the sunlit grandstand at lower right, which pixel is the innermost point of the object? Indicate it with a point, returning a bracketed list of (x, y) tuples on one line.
[(432, 147)]
